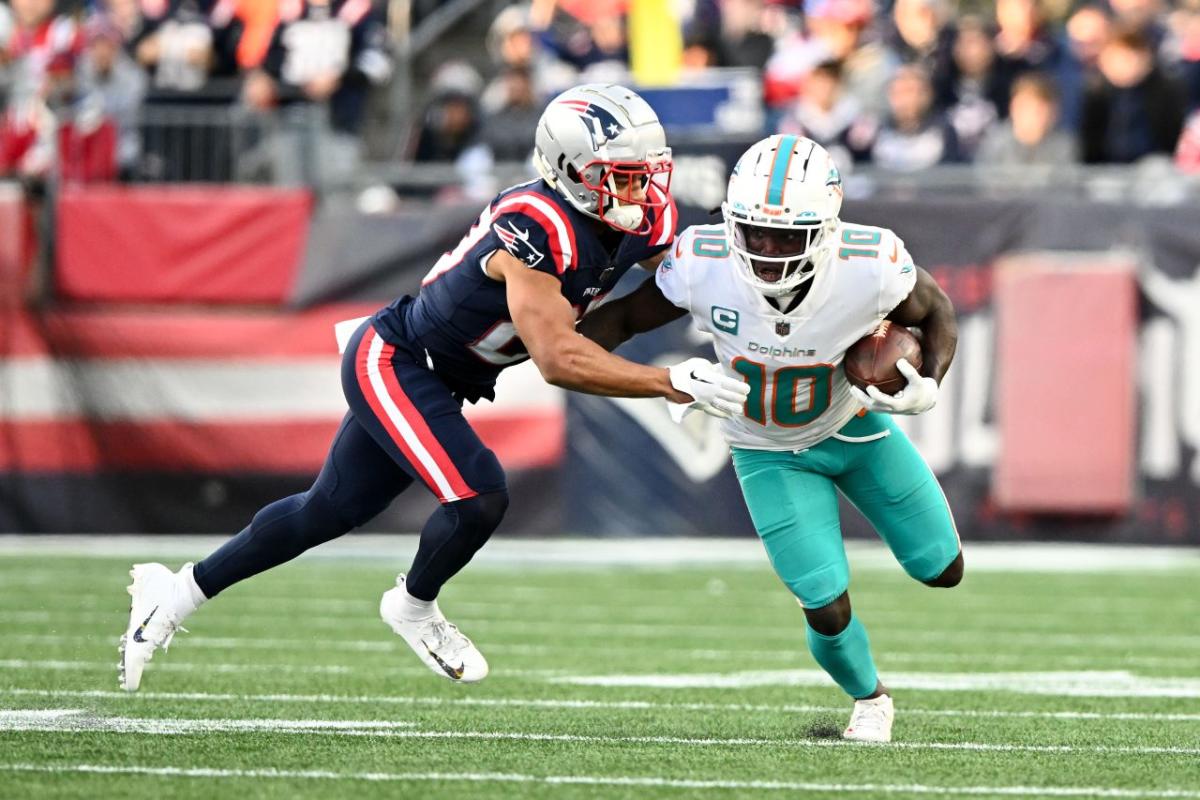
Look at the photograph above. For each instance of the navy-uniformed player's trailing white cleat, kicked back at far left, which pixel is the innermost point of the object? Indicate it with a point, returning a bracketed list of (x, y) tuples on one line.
[(157, 610)]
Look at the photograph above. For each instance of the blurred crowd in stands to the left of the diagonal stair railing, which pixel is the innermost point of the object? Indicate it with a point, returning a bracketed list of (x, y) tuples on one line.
[(86, 79)]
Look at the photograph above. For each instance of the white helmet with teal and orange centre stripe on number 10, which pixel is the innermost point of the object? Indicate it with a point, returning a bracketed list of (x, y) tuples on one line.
[(782, 213)]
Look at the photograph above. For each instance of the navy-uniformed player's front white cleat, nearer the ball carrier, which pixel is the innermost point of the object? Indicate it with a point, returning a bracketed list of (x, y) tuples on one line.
[(441, 645)]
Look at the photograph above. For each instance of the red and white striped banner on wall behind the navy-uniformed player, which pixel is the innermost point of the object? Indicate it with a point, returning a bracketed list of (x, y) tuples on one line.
[(209, 392)]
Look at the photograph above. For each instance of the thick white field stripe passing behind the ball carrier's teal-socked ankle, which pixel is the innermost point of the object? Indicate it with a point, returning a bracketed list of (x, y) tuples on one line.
[(1072, 684)]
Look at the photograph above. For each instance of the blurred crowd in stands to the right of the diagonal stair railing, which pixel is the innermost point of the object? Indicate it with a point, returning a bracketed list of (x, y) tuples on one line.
[(899, 85)]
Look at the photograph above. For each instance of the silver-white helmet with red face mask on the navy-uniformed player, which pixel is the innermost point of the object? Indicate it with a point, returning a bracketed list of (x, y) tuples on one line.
[(592, 136)]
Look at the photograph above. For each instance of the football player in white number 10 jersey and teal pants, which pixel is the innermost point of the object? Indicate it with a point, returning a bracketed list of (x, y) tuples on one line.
[(785, 288)]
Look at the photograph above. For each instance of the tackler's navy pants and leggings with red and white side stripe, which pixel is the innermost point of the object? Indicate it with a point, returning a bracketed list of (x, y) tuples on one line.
[(404, 425)]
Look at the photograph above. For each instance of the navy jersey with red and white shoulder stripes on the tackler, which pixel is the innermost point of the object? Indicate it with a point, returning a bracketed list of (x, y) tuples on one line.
[(461, 317)]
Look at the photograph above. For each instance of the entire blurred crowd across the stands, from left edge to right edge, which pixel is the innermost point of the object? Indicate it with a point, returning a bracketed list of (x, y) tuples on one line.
[(898, 85)]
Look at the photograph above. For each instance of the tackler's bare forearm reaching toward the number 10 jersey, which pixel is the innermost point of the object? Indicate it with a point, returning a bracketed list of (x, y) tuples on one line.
[(584, 366)]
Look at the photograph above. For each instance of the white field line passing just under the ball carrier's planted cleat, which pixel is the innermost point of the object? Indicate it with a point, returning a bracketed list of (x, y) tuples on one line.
[(76, 721)]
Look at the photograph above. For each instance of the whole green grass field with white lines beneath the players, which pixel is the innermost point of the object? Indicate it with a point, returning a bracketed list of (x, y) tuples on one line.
[(669, 682)]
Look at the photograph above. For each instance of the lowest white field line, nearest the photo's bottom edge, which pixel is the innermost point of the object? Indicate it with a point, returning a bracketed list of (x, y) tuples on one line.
[(604, 780)]
